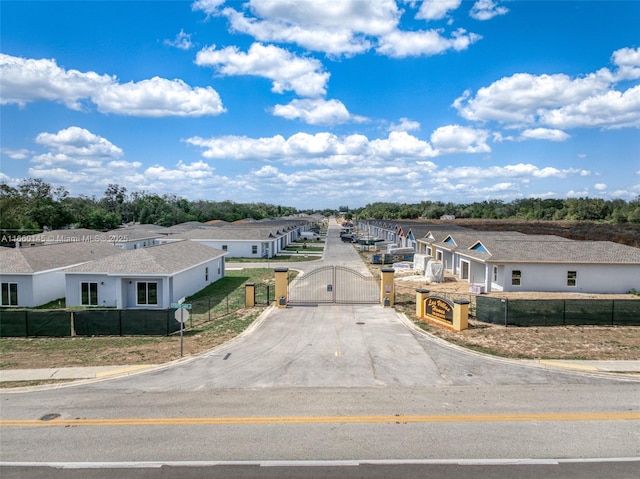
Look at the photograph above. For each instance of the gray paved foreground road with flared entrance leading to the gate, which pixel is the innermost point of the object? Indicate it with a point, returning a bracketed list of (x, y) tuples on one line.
[(344, 383)]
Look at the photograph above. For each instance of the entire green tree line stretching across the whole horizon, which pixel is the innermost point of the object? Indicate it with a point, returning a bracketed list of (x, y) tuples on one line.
[(34, 204)]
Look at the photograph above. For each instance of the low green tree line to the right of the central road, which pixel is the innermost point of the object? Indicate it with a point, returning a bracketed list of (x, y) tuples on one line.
[(570, 209)]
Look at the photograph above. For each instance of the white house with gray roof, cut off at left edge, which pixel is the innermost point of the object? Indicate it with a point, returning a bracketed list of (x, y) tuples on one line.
[(34, 276)]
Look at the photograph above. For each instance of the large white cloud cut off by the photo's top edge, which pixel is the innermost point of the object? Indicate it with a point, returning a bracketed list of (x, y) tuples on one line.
[(345, 27)]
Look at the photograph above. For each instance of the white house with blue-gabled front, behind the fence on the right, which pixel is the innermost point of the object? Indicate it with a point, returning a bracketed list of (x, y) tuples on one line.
[(511, 261)]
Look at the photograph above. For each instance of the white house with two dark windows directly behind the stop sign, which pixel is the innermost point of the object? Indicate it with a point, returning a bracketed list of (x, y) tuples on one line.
[(149, 278)]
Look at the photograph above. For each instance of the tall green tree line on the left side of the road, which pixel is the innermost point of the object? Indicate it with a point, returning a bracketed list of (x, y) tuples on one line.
[(34, 205)]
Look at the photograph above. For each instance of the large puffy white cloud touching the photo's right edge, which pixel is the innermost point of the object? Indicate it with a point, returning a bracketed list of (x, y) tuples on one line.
[(545, 104)]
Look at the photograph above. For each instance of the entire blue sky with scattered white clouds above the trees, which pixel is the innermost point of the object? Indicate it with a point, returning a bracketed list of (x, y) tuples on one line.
[(323, 103)]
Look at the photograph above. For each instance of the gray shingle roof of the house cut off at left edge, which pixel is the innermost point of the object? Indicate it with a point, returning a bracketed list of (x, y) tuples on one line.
[(53, 256)]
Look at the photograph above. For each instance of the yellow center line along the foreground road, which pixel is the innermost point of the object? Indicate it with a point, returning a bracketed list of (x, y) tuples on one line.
[(215, 421)]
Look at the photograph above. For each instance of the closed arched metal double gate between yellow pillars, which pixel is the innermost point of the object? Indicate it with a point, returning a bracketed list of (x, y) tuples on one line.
[(334, 284)]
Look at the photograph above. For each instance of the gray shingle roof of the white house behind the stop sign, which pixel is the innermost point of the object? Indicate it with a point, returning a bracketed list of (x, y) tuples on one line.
[(165, 259)]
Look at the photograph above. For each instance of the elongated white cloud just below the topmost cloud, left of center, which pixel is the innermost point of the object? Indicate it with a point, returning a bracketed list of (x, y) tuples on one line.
[(287, 71)]
